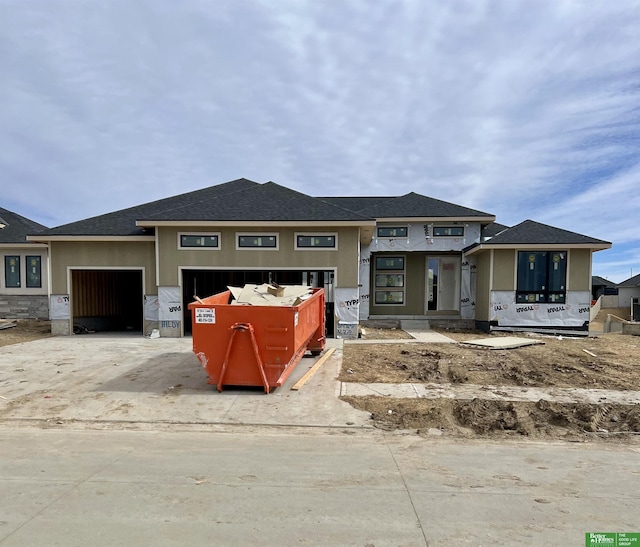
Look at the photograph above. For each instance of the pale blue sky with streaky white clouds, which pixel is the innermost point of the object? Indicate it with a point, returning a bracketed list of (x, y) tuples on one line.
[(523, 109)]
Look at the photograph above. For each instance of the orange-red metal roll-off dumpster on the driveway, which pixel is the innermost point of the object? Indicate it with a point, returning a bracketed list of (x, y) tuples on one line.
[(246, 345)]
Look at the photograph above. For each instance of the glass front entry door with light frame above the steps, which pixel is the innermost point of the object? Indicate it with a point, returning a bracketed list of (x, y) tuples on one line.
[(442, 284)]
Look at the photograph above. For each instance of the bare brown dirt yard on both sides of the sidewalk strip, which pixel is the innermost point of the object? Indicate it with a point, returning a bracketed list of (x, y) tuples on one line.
[(609, 361)]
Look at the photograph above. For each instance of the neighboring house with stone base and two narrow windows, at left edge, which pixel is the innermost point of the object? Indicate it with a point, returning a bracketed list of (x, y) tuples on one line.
[(23, 264)]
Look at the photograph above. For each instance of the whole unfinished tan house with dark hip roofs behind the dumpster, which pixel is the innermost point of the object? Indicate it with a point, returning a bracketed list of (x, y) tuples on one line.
[(408, 257)]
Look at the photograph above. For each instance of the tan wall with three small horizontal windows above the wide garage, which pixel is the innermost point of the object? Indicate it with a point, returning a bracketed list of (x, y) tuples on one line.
[(345, 258)]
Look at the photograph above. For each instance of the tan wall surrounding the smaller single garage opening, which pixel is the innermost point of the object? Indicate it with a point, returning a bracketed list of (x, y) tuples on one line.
[(97, 254)]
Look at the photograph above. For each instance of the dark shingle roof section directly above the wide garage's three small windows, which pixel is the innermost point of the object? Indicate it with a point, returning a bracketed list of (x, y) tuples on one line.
[(263, 202)]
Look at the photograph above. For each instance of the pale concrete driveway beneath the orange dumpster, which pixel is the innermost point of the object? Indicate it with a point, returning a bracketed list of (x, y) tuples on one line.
[(130, 379)]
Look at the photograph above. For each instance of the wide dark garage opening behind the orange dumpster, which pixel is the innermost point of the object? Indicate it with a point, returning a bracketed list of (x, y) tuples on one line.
[(207, 282)]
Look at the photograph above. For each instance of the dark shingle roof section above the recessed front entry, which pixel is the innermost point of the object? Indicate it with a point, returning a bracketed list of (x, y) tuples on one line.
[(409, 205)]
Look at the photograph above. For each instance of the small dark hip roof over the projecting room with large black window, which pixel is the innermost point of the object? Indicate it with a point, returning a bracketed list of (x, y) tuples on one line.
[(531, 232)]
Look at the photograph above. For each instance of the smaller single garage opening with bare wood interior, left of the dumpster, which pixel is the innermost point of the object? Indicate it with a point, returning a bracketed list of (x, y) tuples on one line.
[(107, 300)]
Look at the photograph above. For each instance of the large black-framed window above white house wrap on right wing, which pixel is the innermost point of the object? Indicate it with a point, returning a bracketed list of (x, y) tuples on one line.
[(542, 277)]
